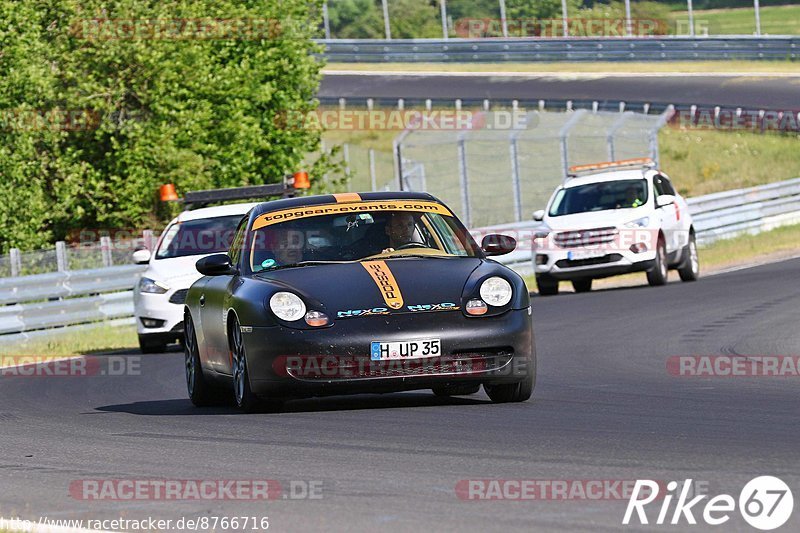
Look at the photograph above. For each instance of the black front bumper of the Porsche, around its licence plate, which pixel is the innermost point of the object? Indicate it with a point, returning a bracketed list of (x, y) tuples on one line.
[(286, 362)]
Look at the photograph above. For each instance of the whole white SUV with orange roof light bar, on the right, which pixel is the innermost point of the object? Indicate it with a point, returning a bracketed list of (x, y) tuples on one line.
[(613, 218)]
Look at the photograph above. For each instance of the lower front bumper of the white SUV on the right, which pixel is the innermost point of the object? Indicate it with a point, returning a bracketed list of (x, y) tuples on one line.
[(559, 264)]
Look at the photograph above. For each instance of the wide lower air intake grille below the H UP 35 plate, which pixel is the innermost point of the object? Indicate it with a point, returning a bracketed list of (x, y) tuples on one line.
[(345, 369)]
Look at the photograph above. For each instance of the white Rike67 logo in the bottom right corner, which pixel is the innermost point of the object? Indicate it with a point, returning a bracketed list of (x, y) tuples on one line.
[(765, 503)]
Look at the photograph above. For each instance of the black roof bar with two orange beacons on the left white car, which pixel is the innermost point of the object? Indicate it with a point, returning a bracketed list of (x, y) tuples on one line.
[(195, 199)]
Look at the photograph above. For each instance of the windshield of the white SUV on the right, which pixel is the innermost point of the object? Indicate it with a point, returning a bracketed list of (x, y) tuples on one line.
[(600, 197)]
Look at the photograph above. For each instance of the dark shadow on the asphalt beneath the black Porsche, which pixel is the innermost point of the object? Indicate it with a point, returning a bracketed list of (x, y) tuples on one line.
[(183, 407)]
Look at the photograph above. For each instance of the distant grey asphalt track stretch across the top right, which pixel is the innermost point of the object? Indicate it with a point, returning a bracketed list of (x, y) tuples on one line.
[(754, 92)]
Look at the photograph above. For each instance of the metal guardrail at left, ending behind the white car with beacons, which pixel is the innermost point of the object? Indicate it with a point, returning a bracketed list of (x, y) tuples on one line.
[(47, 303)]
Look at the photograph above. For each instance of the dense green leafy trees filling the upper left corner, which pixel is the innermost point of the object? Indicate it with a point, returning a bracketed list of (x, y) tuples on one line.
[(105, 100)]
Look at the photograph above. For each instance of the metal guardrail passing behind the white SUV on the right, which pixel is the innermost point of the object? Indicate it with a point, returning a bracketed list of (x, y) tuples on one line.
[(715, 217)]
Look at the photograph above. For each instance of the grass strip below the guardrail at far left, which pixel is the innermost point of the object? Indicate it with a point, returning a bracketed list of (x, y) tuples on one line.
[(100, 339)]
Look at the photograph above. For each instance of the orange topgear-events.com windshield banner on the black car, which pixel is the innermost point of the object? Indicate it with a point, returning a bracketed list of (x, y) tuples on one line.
[(295, 213)]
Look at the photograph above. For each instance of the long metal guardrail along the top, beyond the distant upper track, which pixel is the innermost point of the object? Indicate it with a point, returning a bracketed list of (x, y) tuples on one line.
[(571, 49)]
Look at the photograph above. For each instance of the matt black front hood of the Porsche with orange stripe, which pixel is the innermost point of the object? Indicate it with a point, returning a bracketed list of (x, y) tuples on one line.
[(343, 287)]
